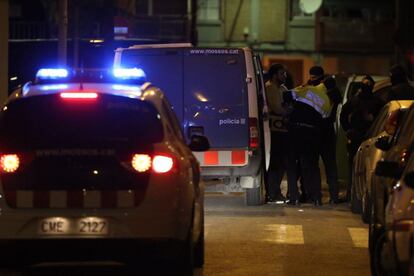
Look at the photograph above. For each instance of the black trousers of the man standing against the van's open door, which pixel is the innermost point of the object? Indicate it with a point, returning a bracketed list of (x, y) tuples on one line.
[(278, 163)]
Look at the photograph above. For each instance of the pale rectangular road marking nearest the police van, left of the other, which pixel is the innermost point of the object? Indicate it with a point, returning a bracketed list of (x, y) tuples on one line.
[(284, 233)]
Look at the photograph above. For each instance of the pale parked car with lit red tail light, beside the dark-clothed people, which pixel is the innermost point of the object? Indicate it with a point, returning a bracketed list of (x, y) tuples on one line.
[(368, 155)]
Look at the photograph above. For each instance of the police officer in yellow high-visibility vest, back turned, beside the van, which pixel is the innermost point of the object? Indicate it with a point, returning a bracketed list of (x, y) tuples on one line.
[(310, 105)]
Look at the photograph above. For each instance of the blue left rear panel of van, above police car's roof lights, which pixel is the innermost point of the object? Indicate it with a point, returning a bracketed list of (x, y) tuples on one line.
[(164, 68)]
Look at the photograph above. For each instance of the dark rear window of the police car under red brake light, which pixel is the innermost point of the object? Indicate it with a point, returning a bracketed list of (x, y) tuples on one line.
[(49, 121)]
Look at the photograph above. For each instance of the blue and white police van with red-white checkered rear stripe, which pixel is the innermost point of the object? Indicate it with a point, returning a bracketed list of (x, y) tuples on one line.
[(219, 93)]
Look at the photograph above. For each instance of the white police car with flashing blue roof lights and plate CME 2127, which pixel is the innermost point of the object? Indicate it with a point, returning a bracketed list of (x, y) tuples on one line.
[(93, 165)]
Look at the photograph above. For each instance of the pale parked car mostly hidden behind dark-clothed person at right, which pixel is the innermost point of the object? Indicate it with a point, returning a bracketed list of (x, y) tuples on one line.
[(382, 85)]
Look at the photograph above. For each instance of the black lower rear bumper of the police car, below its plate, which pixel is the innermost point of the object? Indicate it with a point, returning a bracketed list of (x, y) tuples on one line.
[(30, 251)]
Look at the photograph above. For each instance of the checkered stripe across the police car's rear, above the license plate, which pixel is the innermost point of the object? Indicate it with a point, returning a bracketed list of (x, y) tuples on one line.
[(73, 199)]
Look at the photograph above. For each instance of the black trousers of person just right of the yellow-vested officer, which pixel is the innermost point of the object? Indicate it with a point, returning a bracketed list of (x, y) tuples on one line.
[(328, 155)]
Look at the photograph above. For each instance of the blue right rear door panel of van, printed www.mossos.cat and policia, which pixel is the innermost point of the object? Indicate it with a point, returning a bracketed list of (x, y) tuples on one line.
[(215, 96)]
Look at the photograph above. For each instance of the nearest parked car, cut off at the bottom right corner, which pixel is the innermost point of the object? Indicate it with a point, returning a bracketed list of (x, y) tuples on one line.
[(397, 255)]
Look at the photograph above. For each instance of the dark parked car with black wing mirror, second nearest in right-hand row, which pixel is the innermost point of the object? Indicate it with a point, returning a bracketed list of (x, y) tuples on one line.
[(388, 171)]
